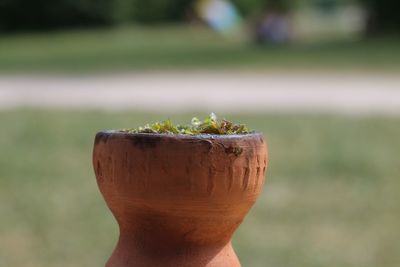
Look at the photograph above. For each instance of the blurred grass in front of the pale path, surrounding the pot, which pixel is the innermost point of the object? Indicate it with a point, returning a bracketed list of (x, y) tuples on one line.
[(331, 199)]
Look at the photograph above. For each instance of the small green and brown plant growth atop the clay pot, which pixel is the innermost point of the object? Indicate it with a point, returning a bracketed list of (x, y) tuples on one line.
[(210, 125)]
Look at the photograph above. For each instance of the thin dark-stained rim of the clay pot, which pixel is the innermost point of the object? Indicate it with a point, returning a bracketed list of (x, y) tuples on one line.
[(181, 136)]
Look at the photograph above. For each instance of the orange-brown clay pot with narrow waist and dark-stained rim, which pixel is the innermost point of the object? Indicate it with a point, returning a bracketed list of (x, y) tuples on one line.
[(177, 198)]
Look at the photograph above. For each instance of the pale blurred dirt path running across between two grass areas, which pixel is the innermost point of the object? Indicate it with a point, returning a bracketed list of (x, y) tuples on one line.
[(338, 93)]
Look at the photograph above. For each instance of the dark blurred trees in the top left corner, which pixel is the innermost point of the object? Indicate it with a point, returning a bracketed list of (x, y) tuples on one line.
[(49, 14)]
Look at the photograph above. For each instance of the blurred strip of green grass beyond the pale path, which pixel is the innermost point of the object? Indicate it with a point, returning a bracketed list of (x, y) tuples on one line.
[(183, 47)]
